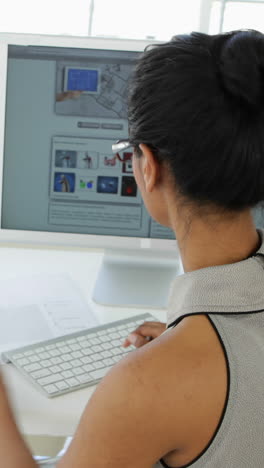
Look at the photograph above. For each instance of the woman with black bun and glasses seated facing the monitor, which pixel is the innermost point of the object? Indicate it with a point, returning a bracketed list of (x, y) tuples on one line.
[(193, 396)]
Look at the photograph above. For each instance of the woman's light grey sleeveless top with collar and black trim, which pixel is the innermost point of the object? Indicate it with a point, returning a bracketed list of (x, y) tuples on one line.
[(232, 296)]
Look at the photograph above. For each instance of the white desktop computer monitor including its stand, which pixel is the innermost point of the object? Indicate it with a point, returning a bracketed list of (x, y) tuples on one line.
[(62, 106)]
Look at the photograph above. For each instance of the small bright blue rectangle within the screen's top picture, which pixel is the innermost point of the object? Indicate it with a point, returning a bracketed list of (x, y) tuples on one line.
[(82, 80)]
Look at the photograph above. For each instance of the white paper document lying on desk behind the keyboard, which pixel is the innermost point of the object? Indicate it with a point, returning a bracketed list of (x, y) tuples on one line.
[(41, 307)]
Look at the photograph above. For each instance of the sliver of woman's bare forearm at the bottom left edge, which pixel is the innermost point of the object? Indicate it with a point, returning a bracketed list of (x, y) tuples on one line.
[(13, 450)]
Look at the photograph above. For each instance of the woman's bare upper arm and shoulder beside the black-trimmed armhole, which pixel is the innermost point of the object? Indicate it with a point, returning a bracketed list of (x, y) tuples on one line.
[(163, 400)]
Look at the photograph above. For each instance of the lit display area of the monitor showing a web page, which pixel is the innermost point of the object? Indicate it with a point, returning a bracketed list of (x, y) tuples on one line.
[(64, 108)]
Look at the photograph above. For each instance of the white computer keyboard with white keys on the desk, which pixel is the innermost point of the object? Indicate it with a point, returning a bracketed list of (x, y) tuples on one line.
[(76, 360)]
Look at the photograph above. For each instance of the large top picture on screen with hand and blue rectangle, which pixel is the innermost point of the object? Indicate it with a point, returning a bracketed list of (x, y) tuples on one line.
[(93, 88)]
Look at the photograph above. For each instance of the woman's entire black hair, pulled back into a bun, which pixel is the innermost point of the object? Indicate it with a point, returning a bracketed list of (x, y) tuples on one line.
[(198, 103)]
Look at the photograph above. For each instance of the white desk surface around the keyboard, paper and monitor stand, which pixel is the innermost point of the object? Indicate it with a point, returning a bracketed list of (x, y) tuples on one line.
[(35, 413)]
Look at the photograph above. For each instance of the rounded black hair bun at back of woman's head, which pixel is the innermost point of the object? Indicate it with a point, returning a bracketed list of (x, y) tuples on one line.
[(242, 66)]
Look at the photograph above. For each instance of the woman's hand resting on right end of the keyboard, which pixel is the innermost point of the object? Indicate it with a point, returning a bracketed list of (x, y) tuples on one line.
[(144, 333)]
